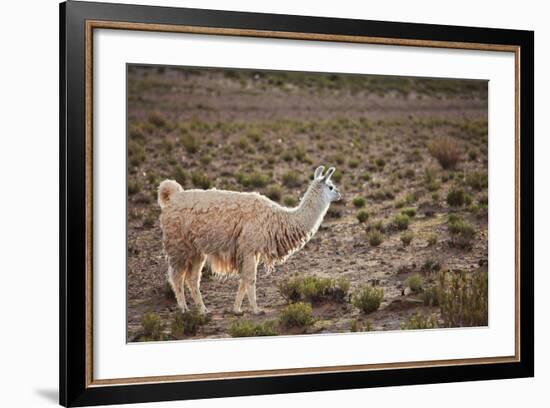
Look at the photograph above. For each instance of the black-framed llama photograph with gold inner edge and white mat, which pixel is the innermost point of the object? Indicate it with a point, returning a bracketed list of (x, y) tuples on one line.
[(255, 203)]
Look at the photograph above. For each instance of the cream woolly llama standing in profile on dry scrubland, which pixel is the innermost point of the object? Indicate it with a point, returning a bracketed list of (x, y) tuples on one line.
[(235, 232)]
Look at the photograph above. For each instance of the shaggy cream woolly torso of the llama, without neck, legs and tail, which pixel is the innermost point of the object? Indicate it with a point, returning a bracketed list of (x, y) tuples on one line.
[(218, 223)]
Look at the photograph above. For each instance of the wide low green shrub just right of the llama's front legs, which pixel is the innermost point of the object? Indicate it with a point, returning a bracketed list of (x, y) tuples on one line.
[(314, 289)]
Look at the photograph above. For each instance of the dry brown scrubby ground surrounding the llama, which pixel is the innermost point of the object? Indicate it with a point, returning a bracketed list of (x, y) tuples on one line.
[(214, 128)]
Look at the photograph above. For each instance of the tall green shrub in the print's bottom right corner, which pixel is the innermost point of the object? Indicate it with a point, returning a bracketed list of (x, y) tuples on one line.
[(463, 298)]
